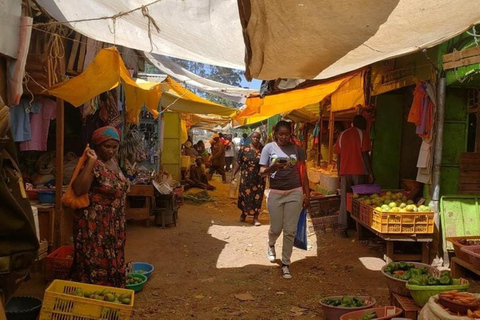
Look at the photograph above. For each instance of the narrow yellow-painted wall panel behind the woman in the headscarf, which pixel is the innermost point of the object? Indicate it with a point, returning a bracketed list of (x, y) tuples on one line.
[(171, 155)]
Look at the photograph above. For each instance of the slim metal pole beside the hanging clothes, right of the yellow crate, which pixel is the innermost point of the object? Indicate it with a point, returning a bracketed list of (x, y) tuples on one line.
[(437, 164)]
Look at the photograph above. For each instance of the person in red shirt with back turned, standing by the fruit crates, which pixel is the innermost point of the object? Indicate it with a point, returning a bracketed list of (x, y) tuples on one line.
[(353, 164)]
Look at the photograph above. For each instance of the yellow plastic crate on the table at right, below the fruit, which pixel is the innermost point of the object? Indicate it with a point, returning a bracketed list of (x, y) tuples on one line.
[(403, 222)]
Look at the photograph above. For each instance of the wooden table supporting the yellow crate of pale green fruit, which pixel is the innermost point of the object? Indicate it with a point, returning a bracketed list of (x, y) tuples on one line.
[(391, 239)]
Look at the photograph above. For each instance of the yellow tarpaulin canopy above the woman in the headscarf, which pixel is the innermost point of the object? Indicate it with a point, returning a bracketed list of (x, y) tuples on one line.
[(107, 71)]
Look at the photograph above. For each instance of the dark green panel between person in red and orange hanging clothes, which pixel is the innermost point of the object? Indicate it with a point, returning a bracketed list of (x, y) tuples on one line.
[(387, 135)]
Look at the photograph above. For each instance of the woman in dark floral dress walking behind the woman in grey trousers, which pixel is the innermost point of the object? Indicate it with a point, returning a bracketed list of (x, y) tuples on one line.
[(252, 184)]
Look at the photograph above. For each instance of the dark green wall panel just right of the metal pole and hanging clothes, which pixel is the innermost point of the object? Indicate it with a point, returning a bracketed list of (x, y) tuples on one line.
[(454, 138)]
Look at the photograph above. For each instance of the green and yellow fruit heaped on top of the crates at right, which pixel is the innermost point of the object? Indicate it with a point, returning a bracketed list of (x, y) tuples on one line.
[(390, 202)]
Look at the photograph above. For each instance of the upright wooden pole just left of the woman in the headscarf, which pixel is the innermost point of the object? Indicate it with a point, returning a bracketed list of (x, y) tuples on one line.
[(59, 151)]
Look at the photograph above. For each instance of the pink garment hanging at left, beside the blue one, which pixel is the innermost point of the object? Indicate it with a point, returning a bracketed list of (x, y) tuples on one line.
[(40, 124)]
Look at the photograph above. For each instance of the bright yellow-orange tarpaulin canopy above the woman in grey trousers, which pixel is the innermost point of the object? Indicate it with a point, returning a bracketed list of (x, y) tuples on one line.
[(346, 91)]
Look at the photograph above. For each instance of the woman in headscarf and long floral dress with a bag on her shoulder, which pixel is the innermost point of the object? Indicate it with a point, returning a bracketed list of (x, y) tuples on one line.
[(99, 229)]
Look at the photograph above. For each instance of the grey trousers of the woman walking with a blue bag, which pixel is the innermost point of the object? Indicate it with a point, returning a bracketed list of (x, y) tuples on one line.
[(284, 213)]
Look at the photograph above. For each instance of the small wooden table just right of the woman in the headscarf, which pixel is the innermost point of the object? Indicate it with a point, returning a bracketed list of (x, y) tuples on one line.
[(140, 213)]
